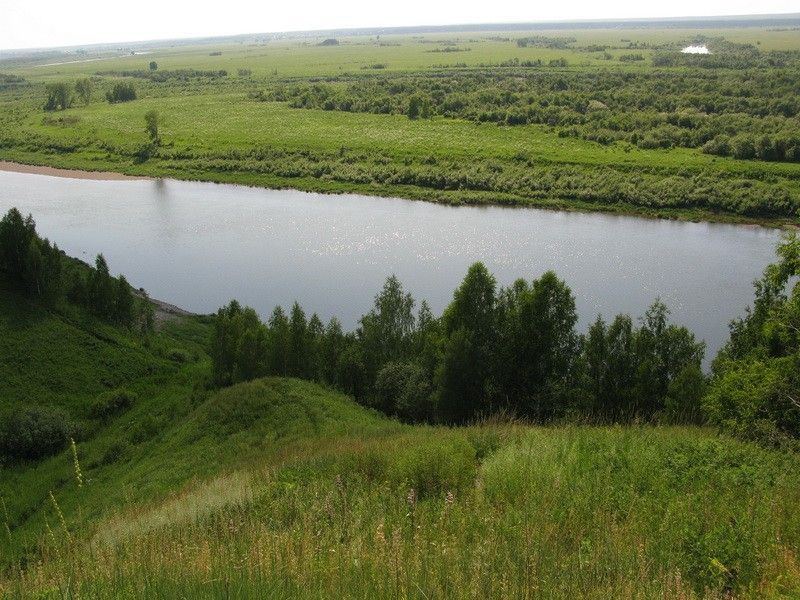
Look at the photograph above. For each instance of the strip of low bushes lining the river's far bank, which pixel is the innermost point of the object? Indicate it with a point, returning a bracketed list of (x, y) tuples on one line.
[(517, 180)]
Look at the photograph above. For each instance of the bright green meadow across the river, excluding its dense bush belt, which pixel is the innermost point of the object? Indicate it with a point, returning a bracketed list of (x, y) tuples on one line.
[(211, 128)]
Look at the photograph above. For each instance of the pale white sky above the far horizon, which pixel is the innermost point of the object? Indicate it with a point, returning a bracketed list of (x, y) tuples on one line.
[(41, 23)]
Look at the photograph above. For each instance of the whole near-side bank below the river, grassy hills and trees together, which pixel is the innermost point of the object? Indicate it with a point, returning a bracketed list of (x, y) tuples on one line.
[(197, 457)]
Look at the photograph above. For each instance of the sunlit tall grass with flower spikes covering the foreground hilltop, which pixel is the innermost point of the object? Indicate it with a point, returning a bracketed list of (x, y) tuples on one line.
[(545, 513)]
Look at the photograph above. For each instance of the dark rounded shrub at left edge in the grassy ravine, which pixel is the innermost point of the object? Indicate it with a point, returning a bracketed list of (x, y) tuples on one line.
[(33, 432)]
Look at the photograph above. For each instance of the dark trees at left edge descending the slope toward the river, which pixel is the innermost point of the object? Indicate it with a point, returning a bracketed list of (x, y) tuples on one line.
[(43, 271)]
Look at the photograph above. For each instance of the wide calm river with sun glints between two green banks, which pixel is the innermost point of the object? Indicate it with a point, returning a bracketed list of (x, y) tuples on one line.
[(197, 245)]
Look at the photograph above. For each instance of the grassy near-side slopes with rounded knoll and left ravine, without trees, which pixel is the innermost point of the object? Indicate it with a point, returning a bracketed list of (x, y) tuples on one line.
[(280, 488)]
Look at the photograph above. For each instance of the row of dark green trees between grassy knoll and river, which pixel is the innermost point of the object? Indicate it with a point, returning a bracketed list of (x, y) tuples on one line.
[(514, 349)]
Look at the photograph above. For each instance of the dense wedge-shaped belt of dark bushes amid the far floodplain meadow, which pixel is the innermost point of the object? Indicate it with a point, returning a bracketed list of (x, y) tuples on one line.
[(652, 109)]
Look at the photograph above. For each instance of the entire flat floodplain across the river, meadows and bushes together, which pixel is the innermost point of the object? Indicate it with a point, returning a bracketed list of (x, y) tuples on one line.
[(592, 119)]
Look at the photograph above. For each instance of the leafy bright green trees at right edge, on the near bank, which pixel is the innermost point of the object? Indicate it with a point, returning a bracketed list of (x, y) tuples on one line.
[(755, 386)]
